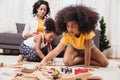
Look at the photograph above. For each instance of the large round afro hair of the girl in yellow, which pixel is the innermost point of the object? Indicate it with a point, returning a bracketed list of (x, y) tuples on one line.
[(85, 16)]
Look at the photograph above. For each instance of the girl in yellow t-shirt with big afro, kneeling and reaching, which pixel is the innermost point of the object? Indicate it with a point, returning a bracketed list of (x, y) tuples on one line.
[(78, 24)]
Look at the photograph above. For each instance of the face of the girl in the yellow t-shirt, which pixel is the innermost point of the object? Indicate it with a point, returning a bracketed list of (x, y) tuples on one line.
[(72, 28)]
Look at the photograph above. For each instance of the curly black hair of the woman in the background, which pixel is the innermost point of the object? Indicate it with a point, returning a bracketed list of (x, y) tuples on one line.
[(37, 5)]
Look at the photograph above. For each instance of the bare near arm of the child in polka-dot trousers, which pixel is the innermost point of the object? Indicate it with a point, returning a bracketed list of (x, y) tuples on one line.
[(38, 41)]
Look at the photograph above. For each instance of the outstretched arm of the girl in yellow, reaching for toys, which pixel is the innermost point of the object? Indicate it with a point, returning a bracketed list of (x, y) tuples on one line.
[(52, 54)]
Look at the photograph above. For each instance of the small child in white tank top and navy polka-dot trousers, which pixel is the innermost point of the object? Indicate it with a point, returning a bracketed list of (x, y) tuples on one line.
[(31, 48)]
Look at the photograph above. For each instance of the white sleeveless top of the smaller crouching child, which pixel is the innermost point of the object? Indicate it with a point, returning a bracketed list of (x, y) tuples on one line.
[(30, 41)]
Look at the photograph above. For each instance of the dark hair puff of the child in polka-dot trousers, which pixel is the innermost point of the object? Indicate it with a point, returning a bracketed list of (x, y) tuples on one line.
[(50, 25)]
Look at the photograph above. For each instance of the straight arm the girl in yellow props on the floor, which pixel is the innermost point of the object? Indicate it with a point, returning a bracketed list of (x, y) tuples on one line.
[(87, 56)]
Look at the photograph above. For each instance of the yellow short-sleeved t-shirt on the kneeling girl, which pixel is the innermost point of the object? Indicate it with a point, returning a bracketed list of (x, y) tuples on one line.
[(77, 43)]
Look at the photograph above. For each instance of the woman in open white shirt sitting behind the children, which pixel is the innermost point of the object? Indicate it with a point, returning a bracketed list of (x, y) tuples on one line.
[(35, 26)]
